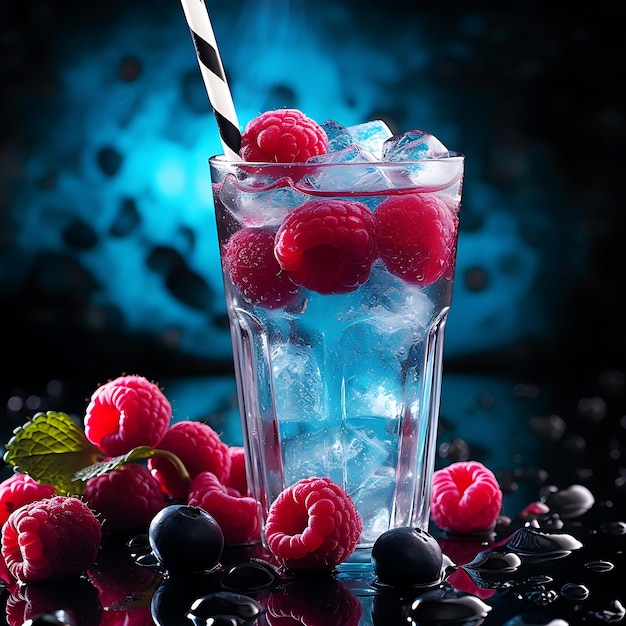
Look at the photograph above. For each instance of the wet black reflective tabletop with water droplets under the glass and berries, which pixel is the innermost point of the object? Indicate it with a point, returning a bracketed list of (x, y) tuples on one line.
[(556, 445)]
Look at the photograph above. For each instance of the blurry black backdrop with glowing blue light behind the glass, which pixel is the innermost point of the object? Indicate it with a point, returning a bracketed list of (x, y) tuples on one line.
[(108, 261)]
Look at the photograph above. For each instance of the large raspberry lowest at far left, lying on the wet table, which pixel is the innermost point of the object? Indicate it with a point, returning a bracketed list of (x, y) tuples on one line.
[(52, 538)]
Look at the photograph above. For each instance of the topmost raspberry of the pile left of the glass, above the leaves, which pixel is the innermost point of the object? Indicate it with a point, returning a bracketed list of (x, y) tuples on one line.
[(125, 413)]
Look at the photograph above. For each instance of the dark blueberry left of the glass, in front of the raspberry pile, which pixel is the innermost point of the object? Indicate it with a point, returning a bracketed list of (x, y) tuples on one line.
[(186, 539)]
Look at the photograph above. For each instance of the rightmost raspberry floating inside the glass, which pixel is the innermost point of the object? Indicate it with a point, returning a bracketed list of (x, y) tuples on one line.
[(416, 236)]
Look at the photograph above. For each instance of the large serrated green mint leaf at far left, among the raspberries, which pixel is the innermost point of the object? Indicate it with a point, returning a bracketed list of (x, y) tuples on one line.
[(51, 448)]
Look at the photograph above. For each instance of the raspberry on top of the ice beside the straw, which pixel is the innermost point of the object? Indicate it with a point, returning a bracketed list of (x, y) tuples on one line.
[(282, 136)]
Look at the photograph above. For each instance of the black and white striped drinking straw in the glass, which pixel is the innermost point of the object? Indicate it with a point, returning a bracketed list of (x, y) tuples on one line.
[(214, 77)]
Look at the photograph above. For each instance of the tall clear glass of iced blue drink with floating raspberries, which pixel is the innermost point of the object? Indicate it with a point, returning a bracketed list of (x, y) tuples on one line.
[(338, 353)]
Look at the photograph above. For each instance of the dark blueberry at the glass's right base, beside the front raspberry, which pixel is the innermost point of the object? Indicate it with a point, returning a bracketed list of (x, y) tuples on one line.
[(407, 557)]
